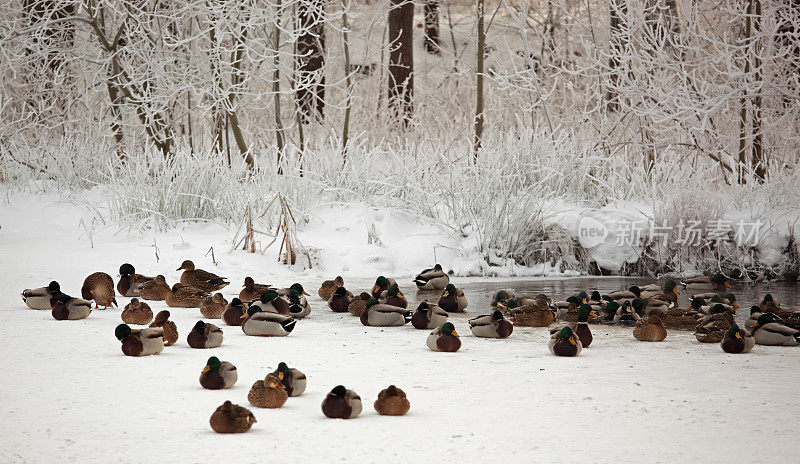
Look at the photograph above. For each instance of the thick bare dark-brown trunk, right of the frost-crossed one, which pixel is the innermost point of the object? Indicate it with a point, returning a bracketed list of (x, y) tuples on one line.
[(401, 59)]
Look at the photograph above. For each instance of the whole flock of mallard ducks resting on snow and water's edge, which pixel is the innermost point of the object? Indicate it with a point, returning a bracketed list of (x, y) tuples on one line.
[(267, 311)]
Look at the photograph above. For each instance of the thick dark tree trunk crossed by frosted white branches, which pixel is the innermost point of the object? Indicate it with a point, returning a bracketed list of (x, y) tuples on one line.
[(310, 80)]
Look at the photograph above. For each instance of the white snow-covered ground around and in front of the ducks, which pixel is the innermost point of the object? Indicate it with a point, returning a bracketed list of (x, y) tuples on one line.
[(69, 394)]
